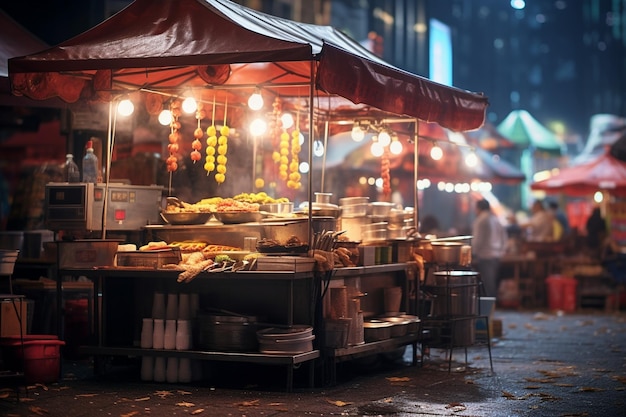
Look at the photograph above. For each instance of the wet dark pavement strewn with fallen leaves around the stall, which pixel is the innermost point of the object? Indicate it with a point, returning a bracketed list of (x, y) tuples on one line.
[(544, 364)]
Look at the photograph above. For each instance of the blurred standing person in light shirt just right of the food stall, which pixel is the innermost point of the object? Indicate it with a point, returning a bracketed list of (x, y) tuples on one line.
[(488, 245)]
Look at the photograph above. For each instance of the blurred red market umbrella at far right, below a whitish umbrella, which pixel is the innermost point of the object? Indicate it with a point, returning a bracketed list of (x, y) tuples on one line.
[(604, 173)]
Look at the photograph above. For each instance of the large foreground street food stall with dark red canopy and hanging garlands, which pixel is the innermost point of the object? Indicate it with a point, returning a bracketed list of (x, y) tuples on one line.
[(223, 267)]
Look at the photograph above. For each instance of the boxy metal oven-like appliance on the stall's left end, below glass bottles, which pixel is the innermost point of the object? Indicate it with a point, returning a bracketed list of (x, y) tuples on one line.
[(80, 206)]
